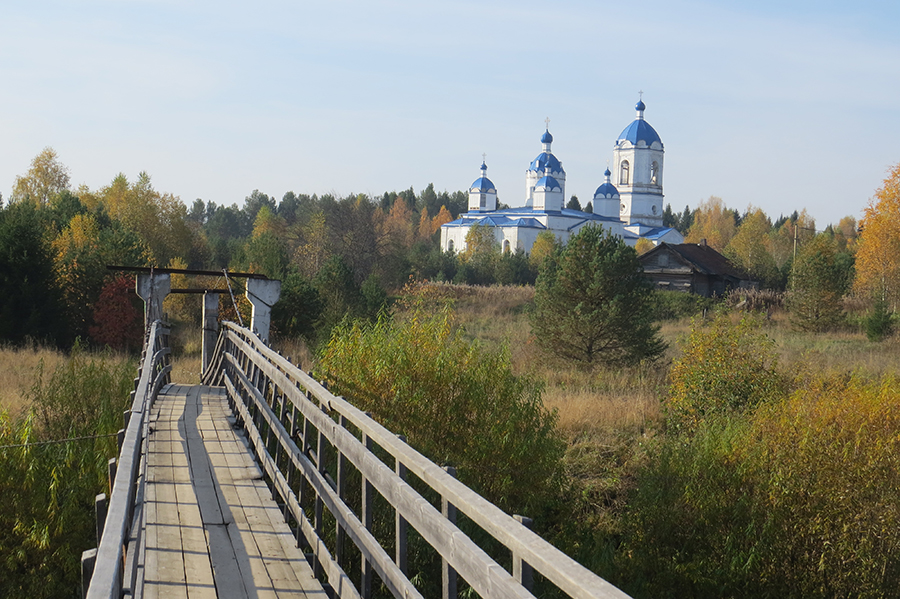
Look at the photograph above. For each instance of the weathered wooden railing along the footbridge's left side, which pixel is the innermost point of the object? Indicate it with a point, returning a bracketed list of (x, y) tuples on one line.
[(109, 570)]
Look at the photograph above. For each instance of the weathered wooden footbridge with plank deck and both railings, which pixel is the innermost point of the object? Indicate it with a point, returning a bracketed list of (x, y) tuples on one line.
[(260, 483)]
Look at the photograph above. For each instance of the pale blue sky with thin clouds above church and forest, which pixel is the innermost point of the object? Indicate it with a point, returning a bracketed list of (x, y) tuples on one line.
[(782, 105)]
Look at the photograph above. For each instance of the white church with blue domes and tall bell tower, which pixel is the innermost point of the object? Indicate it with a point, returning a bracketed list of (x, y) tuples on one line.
[(631, 208)]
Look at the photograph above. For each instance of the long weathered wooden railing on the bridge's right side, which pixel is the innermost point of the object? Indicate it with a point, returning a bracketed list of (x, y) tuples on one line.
[(327, 463)]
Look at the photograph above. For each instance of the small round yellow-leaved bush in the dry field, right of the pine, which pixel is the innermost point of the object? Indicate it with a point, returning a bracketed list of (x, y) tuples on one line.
[(725, 367)]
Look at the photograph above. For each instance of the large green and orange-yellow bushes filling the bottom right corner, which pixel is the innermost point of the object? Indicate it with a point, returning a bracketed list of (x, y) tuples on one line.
[(796, 500)]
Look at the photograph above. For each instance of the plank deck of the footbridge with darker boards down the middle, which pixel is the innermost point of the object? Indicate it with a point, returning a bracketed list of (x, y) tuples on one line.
[(212, 528)]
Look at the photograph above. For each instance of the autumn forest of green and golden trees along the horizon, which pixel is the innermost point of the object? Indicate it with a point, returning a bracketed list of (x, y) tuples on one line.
[(340, 255)]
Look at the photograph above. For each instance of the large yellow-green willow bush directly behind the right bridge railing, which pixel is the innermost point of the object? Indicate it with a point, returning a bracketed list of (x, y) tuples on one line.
[(457, 402)]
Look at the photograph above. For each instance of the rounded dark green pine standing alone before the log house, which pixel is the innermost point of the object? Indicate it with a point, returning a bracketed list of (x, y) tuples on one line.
[(593, 304)]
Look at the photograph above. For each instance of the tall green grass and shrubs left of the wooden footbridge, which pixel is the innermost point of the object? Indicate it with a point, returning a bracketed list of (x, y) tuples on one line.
[(47, 489)]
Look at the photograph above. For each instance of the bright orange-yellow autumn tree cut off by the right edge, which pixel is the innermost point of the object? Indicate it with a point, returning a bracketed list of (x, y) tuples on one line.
[(878, 256)]
